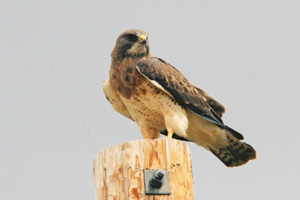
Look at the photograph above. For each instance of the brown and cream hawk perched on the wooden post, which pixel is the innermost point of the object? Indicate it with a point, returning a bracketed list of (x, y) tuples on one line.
[(155, 95)]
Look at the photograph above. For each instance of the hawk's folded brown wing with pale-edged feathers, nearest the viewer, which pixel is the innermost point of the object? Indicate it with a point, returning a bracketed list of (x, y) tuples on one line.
[(169, 79)]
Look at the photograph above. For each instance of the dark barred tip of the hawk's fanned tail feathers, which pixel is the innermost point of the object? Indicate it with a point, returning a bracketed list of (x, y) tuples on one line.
[(234, 154)]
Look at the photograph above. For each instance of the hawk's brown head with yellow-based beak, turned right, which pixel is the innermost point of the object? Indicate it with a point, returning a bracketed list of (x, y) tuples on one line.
[(132, 43)]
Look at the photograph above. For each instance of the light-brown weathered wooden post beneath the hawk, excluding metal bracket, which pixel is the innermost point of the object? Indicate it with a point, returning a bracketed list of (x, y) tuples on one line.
[(119, 170)]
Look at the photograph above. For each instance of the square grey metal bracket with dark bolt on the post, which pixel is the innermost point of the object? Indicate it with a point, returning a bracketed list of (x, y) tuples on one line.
[(157, 182)]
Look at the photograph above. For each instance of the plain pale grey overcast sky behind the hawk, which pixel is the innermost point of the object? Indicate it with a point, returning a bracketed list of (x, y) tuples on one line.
[(54, 118)]
